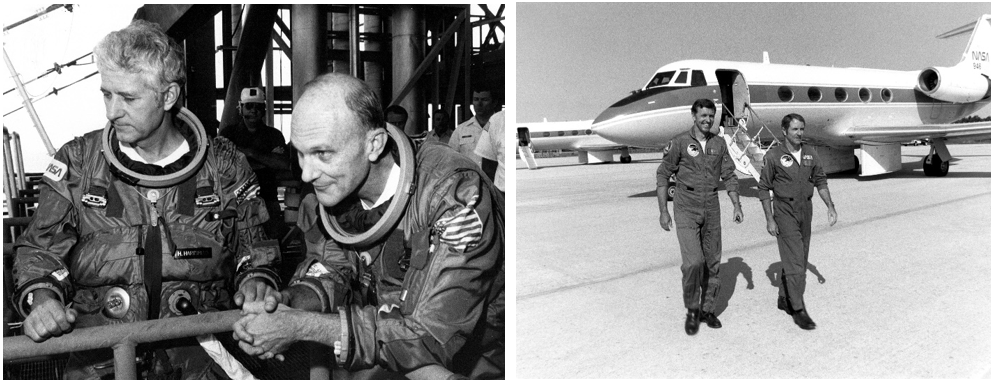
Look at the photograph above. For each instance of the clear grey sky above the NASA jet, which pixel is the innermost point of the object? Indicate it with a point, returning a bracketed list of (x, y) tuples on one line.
[(575, 59)]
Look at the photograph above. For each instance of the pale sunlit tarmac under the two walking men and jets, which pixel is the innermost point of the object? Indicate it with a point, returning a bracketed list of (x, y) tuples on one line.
[(900, 287)]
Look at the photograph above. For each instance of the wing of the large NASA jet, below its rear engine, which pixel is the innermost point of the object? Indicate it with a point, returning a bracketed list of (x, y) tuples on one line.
[(898, 134)]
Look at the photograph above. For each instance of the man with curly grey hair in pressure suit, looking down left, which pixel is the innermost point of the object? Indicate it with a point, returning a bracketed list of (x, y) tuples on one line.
[(137, 216)]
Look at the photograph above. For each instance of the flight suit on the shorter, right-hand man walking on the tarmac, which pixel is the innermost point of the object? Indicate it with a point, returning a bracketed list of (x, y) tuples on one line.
[(792, 180)]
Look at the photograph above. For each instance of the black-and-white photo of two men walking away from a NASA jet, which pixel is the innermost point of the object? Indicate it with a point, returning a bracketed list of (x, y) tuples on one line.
[(753, 190)]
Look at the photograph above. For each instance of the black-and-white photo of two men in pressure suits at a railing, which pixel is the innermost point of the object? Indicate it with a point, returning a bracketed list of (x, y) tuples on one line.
[(255, 191)]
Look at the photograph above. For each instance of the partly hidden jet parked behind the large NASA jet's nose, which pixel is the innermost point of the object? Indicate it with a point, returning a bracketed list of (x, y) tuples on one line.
[(575, 136)]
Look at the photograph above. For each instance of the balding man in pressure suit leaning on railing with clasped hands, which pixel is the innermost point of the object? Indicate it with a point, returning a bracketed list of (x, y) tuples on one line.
[(429, 294)]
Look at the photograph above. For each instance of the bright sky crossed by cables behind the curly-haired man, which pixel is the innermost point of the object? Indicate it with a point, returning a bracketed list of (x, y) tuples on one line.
[(35, 47)]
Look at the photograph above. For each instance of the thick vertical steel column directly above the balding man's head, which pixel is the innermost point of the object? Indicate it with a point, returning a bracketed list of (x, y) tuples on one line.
[(309, 42)]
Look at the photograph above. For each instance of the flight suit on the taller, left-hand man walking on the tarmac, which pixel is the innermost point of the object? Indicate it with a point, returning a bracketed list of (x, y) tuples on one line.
[(696, 211)]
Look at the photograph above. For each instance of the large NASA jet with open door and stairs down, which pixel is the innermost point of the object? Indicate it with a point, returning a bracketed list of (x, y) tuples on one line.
[(844, 108)]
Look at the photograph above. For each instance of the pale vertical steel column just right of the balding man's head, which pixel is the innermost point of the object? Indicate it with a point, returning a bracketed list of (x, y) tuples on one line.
[(407, 50)]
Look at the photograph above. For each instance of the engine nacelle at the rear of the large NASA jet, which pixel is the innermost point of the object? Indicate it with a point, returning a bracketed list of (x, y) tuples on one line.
[(954, 84)]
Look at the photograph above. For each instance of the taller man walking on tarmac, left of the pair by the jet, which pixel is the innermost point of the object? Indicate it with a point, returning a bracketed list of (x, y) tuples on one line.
[(700, 159)]
